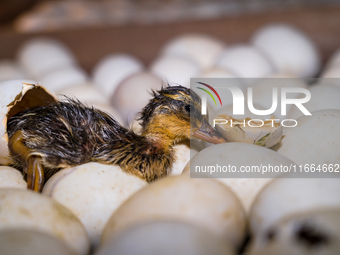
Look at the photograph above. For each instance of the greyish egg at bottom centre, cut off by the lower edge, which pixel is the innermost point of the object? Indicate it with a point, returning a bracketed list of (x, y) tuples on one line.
[(166, 238)]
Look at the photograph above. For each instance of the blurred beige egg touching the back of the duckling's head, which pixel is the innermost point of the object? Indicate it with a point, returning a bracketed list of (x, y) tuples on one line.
[(134, 93)]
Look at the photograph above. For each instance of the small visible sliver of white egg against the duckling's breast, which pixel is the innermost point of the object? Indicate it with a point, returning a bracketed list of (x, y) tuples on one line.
[(183, 153)]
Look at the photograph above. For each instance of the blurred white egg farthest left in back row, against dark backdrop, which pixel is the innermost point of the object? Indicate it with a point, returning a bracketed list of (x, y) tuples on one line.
[(42, 55)]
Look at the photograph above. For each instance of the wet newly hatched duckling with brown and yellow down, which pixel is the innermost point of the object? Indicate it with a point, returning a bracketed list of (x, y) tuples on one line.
[(67, 133)]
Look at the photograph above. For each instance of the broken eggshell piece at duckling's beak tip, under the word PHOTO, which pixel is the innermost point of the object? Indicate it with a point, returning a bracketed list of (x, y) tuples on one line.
[(264, 133)]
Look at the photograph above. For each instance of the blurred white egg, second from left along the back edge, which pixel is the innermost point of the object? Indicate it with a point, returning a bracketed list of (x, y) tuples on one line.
[(112, 70)]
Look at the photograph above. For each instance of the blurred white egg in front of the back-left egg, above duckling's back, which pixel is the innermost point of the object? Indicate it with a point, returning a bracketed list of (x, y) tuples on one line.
[(63, 78)]
